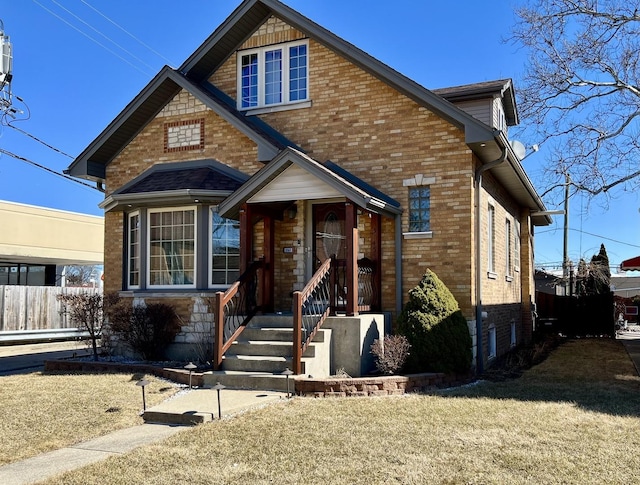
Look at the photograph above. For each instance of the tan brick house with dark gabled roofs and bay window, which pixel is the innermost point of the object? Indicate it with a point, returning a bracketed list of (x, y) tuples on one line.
[(277, 145)]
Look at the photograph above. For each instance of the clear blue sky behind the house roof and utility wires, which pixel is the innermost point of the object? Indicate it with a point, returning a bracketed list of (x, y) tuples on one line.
[(74, 87)]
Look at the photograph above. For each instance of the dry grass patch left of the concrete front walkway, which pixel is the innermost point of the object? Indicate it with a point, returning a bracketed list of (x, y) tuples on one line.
[(43, 412)]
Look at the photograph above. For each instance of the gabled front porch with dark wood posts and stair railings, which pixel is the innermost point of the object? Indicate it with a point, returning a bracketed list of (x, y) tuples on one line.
[(310, 246)]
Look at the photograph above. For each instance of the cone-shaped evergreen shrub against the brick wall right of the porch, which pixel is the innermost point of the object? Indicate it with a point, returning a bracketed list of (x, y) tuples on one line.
[(436, 329)]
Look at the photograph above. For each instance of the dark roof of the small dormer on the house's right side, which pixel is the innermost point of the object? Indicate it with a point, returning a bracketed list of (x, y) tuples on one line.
[(502, 88)]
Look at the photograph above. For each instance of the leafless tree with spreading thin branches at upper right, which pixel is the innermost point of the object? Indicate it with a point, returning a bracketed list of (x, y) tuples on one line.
[(581, 90)]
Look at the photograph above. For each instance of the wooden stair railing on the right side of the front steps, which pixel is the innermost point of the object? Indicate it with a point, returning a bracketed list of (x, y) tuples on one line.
[(311, 306)]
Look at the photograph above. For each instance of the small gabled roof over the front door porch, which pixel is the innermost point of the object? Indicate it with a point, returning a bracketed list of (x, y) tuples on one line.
[(340, 181)]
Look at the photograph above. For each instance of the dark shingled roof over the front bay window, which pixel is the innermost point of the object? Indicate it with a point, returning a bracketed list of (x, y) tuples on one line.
[(194, 181)]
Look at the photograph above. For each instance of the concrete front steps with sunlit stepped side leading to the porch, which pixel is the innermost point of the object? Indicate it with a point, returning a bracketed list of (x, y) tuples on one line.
[(264, 350)]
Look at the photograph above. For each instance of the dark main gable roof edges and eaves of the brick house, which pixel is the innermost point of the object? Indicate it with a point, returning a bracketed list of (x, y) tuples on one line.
[(487, 144)]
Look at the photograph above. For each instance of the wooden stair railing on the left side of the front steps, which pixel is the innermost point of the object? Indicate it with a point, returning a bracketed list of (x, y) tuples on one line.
[(233, 310)]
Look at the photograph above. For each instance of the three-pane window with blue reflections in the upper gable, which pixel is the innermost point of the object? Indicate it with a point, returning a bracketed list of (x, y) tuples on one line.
[(273, 75)]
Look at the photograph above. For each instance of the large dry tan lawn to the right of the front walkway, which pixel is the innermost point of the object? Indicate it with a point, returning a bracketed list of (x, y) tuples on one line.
[(573, 419)]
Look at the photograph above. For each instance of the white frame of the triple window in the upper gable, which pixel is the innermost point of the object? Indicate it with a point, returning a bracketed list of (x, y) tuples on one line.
[(285, 103)]
